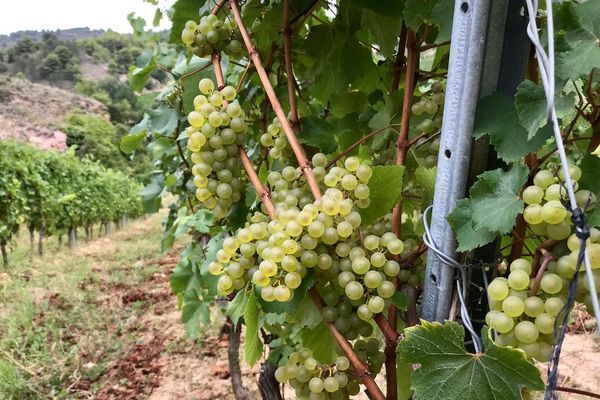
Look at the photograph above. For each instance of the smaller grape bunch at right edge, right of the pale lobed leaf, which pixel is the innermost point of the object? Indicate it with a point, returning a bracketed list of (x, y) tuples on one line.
[(545, 213)]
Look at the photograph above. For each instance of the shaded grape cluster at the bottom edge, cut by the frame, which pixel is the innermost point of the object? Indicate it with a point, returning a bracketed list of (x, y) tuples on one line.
[(312, 380)]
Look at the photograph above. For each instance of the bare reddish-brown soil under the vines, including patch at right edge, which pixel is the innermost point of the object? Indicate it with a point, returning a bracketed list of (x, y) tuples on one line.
[(157, 362)]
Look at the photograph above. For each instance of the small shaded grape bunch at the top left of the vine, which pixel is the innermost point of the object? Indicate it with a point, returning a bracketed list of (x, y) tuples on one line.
[(212, 35)]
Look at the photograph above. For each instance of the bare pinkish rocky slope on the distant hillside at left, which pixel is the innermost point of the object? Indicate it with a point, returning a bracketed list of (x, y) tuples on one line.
[(34, 113)]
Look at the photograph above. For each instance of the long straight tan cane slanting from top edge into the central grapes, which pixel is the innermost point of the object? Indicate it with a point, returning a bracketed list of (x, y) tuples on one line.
[(298, 150)]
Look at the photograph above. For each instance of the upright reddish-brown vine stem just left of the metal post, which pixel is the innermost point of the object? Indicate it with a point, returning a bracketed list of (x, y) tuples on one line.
[(402, 146)]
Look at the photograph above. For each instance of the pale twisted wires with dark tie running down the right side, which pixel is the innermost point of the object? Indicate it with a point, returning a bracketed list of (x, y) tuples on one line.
[(546, 66)]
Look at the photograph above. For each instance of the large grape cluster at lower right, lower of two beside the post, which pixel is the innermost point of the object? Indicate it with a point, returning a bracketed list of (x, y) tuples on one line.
[(525, 321)]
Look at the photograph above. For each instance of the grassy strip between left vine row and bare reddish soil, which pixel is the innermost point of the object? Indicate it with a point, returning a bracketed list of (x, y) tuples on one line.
[(59, 321)]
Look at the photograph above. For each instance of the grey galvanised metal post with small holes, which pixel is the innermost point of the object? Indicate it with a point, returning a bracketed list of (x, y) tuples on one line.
[(467, 52)]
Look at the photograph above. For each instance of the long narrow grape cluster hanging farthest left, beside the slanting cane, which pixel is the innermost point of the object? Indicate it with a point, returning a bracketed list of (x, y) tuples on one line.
[(217, 127)]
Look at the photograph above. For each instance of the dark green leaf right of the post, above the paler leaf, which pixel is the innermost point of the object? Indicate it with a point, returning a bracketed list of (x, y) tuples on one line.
[(496, 116)]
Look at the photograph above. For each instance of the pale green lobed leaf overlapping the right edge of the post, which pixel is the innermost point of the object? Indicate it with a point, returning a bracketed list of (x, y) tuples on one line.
[(491, 209)]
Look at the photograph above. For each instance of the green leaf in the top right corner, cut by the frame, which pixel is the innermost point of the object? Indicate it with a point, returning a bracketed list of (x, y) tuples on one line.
[(577, 44)]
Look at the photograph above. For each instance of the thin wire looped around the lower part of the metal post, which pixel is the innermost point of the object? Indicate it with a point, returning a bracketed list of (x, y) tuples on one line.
[(461, 281)]
